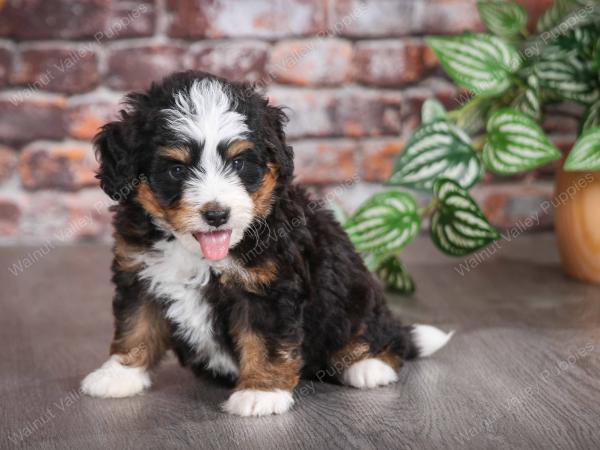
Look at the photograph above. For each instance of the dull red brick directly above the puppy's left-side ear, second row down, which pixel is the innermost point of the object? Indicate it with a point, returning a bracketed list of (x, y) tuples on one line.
[(138, 67)]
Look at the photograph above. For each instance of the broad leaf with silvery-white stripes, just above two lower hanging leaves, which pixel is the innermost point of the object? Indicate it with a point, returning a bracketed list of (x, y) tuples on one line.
[(437, 149)]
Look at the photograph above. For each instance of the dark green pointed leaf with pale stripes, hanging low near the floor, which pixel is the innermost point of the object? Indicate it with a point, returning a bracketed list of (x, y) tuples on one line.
[(458, 227)]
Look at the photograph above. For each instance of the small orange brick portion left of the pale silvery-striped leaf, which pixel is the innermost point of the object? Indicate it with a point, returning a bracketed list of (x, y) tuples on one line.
[(378, 158)]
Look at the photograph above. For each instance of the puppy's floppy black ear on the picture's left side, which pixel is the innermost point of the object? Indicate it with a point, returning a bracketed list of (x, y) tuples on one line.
[(115, 150)]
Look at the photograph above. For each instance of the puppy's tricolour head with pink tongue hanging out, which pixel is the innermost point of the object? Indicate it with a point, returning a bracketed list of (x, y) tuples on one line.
[(203, 157)]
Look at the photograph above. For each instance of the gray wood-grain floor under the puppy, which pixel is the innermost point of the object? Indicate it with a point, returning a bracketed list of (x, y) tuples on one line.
[(522, 371)]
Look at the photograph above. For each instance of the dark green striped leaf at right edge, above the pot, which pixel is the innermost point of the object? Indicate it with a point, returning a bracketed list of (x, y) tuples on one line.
[(568, 76)]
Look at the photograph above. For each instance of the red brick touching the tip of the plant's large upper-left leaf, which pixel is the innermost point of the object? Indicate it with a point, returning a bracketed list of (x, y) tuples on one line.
[(391, 63)]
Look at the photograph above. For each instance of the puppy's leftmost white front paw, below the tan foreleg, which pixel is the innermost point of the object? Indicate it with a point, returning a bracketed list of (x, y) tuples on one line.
[(114, 380)]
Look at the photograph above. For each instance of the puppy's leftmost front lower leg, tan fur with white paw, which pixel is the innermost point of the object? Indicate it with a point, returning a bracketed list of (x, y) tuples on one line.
[(141, 339)]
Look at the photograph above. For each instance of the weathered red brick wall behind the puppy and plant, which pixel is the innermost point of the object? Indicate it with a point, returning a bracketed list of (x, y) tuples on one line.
[(353, 74)]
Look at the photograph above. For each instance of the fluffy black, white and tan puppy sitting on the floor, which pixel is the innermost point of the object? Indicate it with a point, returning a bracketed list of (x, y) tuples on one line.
[(219, 257)]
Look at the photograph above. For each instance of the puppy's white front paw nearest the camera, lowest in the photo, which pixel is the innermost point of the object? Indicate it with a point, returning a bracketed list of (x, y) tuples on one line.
[(251, 402)]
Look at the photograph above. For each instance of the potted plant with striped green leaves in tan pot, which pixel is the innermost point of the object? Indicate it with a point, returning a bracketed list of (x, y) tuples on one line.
[(513, 77)]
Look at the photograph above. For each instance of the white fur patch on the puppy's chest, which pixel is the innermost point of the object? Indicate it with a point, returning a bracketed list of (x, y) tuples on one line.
[(176, 276)]
